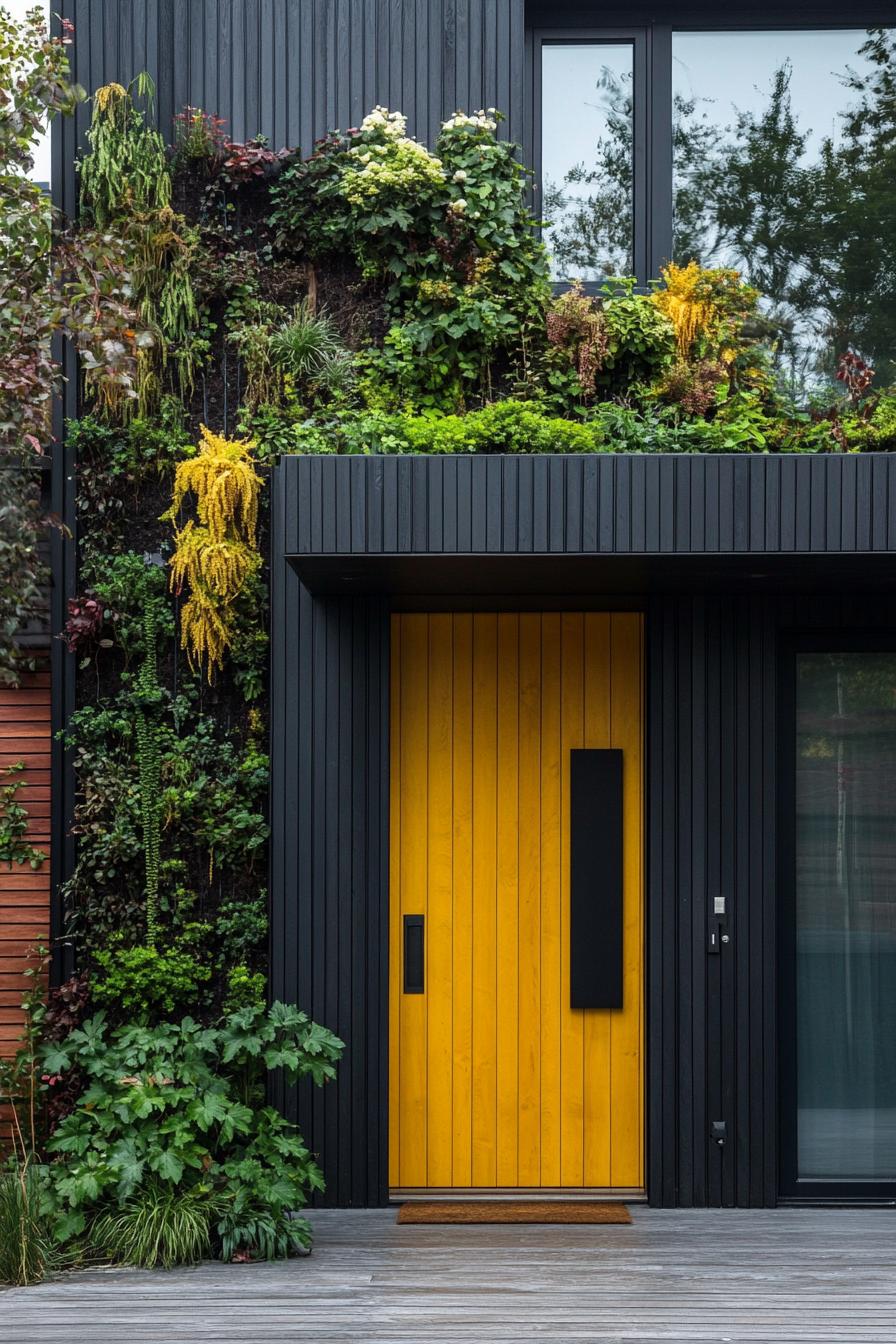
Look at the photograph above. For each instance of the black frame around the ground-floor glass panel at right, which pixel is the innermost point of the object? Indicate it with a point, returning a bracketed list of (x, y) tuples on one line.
[(791, 1189)]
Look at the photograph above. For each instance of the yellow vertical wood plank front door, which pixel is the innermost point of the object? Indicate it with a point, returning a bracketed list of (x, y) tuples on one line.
[(496, 1084)]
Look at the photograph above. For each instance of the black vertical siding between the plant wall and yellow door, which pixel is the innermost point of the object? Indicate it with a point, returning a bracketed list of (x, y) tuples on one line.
[(330, 816)]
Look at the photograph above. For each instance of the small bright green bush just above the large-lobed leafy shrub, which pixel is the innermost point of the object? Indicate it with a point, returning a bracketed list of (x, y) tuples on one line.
[(143, 983)]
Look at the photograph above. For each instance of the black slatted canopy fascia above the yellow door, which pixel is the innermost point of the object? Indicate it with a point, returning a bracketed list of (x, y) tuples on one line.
[(601, 505)]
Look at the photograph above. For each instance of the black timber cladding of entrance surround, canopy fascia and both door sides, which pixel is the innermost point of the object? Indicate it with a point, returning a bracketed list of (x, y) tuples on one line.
[(711, 733)]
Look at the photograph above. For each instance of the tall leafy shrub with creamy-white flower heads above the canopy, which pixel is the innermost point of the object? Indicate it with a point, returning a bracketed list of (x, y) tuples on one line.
[(448, 237)]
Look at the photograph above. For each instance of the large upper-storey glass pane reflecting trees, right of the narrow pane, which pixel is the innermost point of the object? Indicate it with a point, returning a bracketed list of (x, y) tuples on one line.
[(785, 162)]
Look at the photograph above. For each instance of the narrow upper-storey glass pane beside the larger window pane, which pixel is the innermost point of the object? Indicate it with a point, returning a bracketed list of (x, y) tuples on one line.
[(588, 158)]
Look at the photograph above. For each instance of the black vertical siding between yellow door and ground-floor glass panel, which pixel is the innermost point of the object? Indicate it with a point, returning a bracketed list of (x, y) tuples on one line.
[(713, 773)]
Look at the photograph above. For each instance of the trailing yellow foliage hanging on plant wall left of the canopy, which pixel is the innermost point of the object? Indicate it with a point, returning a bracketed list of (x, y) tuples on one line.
[(214, 557)]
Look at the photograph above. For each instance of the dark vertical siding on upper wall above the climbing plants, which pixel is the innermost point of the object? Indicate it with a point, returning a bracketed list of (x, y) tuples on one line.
[(295, 69)]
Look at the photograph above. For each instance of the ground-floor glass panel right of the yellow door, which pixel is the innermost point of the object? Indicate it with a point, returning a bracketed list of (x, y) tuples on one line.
[(847, 916)]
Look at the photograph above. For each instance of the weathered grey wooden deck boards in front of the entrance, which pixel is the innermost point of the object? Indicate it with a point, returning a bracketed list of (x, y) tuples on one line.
[(674, 1276)]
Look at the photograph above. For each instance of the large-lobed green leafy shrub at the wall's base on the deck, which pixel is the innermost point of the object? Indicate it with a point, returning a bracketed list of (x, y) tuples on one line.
[(179, 1107)]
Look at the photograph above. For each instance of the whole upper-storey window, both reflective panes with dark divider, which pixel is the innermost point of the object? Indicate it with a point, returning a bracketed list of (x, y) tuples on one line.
[(769, 153)]
